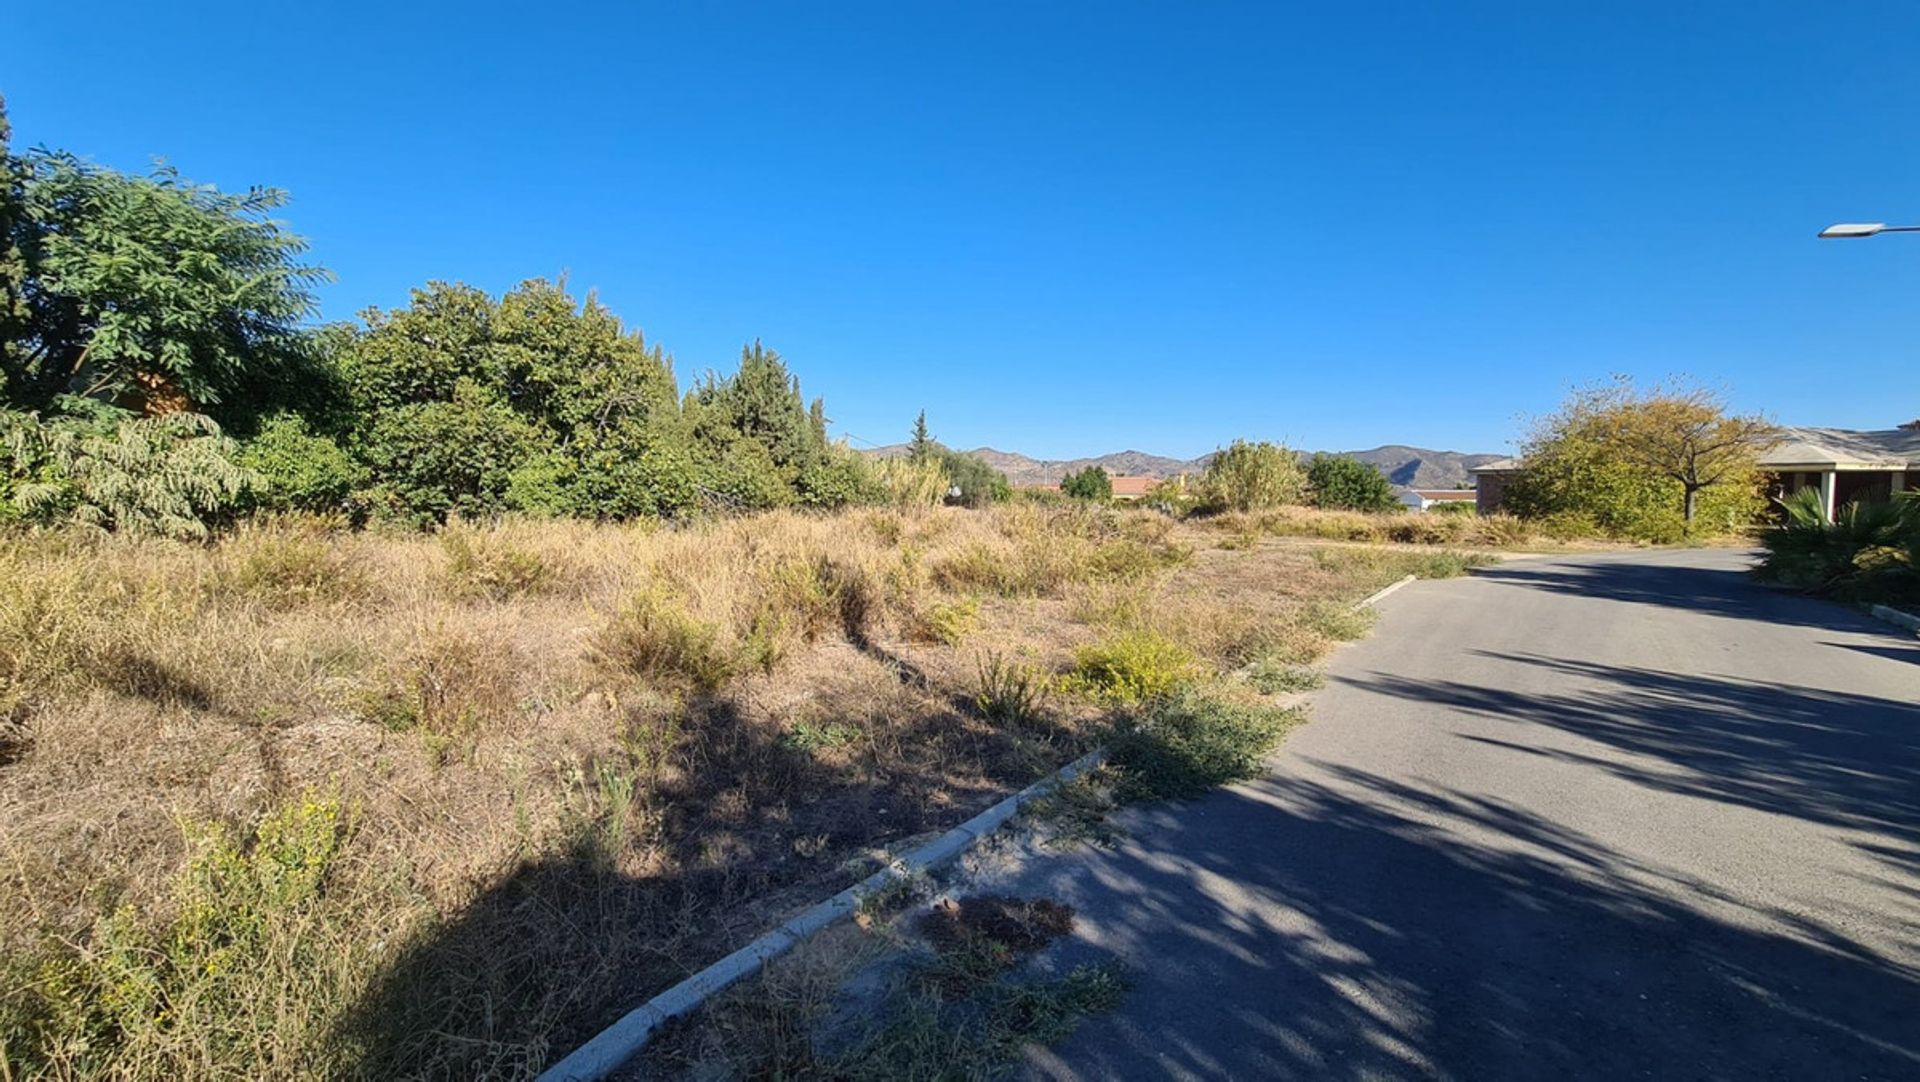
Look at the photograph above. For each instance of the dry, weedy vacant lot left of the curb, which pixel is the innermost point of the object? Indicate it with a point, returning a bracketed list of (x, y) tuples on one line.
[(308, 803)]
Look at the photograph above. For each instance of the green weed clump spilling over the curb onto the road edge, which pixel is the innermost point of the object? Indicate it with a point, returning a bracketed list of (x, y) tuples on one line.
[(1191, 743)]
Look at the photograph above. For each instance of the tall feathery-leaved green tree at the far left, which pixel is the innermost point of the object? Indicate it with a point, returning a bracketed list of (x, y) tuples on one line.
[(149, 293)]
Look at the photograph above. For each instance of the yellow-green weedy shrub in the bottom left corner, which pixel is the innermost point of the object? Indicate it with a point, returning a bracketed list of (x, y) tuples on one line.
[(243, 970)]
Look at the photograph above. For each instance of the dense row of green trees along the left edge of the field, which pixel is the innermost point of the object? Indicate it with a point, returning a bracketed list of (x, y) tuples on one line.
[(160, 373)]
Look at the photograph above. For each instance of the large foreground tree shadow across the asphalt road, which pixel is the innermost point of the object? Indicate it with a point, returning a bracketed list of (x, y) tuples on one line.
[(1364, 929)]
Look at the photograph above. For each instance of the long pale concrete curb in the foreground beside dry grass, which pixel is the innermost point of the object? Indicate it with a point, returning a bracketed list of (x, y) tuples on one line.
[(619, 1043)]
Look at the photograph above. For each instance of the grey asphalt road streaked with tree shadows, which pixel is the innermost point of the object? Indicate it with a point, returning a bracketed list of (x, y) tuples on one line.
[(1595, 818)]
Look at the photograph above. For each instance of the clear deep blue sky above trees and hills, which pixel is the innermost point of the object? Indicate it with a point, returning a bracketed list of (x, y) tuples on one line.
[(1070, 229)]
